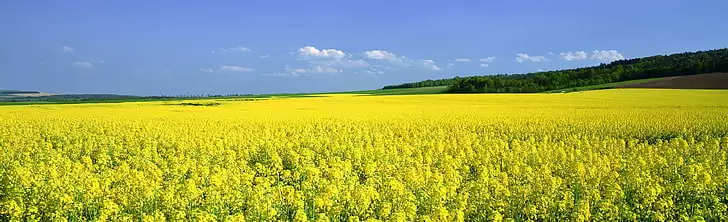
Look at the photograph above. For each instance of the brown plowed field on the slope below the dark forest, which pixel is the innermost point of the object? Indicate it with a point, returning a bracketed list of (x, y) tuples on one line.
[(700, 81)]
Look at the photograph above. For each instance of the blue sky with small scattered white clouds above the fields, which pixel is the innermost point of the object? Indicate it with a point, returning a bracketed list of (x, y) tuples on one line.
[(222, 47)]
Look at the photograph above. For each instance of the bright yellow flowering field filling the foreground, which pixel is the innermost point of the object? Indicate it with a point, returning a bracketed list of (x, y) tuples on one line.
[(614, 155)]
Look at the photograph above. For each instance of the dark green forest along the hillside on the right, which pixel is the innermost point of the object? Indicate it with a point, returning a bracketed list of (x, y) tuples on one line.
[(622, 70)]
